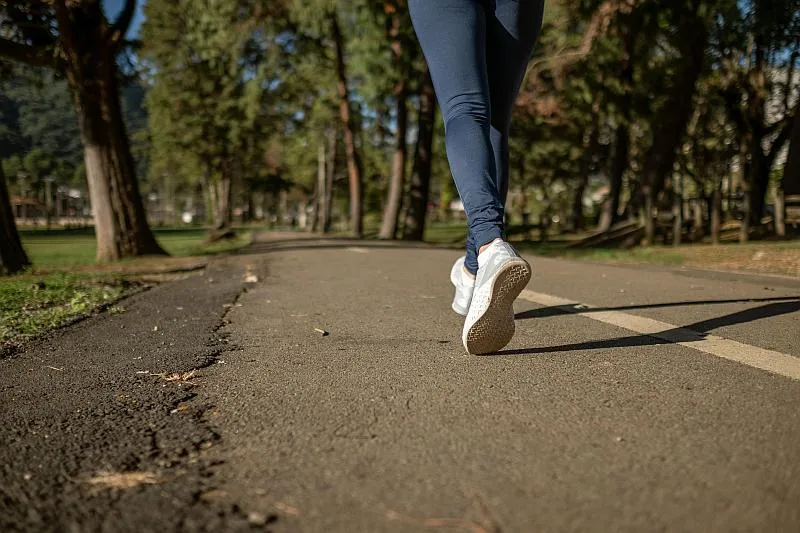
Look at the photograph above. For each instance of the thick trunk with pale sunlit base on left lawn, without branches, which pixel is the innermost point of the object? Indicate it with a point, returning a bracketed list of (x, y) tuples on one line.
[(120, 221)]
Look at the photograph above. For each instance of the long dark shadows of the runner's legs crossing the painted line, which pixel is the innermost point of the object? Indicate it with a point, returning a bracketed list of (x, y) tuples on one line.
[(691, 333)]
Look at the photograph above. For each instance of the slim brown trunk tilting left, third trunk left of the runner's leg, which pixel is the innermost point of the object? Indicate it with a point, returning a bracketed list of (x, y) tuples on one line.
[(353, 160)]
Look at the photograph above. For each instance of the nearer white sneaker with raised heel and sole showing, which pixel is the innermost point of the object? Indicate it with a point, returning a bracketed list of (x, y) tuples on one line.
[(502, 274)]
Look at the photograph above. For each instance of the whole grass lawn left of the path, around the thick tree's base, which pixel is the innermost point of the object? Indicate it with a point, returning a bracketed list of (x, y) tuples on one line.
[(61, 287)]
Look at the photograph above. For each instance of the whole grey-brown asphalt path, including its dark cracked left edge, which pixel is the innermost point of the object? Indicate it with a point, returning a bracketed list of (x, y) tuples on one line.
[(384, 424)]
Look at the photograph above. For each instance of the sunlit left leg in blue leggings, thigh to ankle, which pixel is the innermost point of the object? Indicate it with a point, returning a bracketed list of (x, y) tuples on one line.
[(452, 34)]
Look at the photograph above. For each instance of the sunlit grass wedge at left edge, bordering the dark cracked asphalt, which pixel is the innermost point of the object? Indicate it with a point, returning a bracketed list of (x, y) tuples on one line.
[(31, 304)]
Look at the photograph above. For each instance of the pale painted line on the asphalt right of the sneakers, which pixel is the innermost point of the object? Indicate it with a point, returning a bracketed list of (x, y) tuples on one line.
[(769, 360)]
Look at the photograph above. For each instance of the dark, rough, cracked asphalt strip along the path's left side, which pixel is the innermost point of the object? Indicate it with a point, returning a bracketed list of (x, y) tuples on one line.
[(92, 406)]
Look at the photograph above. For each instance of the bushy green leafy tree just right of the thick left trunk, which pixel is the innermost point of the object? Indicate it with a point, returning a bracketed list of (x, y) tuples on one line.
[(213, 87)]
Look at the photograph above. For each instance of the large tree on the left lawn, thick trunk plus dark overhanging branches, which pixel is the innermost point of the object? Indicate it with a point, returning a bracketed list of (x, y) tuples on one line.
[(76, 40)]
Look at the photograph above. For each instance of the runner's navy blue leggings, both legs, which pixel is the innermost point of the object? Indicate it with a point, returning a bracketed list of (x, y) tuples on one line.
[(477, 52)]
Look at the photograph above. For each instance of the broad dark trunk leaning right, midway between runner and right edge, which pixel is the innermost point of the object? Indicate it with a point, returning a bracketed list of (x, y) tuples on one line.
[(671, 120)]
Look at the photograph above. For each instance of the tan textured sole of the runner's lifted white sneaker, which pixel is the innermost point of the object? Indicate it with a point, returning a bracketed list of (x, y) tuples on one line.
[(495, 328)]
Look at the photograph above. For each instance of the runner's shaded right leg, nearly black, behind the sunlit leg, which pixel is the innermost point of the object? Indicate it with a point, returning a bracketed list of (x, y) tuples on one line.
[(511, 31)]
